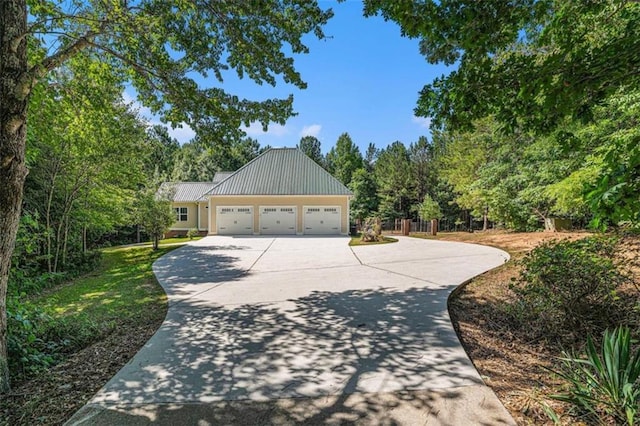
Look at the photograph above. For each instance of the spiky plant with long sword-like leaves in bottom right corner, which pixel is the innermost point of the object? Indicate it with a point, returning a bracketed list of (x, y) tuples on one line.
[(606, 383)]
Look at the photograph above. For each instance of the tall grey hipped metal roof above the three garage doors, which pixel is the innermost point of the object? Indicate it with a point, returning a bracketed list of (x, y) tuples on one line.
[(281, 171)]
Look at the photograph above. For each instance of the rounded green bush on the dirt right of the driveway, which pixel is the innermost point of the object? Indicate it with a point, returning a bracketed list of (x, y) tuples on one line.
[(567, 289)]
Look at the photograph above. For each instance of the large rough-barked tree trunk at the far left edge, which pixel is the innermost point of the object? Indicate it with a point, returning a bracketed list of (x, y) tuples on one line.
[(14, 92)]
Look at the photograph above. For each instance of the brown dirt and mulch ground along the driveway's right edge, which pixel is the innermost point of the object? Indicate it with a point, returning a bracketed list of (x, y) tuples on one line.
[(513, 368)]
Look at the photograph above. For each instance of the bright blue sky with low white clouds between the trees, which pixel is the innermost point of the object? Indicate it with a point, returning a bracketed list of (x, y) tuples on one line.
[(363, 80)]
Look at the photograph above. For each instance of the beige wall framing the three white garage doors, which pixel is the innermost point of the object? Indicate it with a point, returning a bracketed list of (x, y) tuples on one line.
[(281, 200)]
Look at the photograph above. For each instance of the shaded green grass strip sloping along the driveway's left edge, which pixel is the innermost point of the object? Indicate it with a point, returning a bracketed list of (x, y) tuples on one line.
[(107, 315)]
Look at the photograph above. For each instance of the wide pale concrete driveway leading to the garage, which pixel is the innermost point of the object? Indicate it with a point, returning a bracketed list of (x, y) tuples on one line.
[(305, 330)]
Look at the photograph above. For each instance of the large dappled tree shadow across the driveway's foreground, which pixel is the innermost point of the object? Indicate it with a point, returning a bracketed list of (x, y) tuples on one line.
[(328, 358)]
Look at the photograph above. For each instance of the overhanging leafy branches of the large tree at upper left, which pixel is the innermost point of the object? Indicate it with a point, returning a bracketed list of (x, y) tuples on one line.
[(198, 38)]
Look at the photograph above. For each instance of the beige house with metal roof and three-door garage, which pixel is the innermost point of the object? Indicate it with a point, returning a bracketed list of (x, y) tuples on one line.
[(281, 192)]
